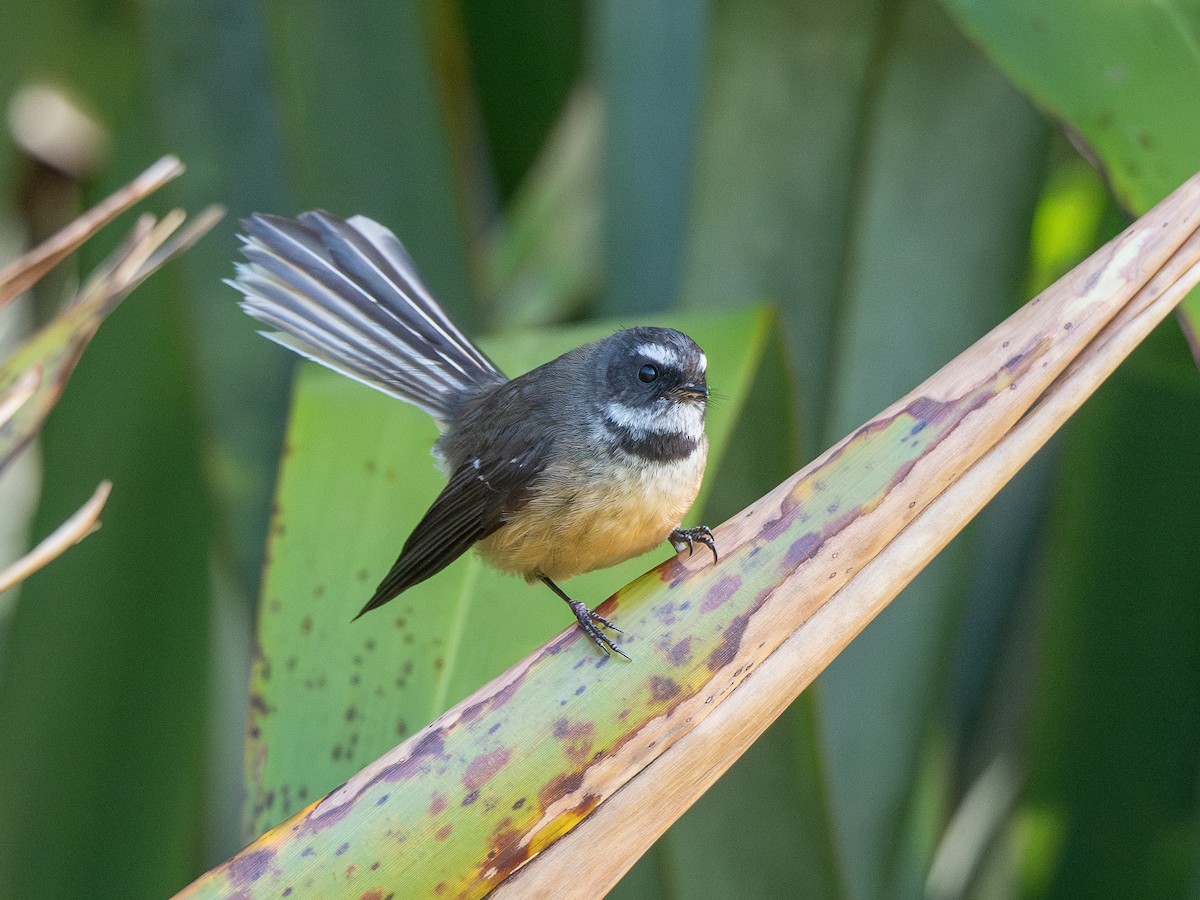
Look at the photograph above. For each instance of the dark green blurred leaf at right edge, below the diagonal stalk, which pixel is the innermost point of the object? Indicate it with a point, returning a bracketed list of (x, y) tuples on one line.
[(1114, 751)]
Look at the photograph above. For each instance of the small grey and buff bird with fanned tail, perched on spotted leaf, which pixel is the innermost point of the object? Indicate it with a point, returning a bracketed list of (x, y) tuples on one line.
[(579, 465)]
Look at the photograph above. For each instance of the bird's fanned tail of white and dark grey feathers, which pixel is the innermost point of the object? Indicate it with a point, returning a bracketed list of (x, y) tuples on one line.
[(345, 293)]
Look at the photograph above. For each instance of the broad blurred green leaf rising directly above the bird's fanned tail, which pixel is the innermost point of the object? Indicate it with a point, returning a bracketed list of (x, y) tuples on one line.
[(373, 127)]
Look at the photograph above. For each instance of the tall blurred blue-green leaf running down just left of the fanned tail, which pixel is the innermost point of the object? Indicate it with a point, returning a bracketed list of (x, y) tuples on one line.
[(208, 70)]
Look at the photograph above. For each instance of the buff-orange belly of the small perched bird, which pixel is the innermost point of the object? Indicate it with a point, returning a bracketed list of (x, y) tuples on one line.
[(619, 515)]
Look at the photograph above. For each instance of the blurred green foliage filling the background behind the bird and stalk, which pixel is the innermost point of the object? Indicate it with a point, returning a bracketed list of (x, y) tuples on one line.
[(881, 176)]
